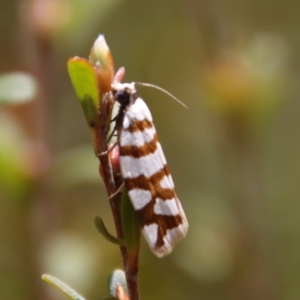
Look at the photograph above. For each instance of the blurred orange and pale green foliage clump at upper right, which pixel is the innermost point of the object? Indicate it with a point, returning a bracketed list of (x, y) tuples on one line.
[(249, 80)]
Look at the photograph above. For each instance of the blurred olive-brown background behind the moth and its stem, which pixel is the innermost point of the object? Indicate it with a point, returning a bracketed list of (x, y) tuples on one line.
[(234, 154)]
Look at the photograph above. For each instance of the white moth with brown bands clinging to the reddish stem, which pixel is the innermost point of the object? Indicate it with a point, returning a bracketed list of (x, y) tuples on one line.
[(146, 174)]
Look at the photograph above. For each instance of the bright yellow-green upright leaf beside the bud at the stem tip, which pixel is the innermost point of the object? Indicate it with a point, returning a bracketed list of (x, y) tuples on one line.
[(85, 83)]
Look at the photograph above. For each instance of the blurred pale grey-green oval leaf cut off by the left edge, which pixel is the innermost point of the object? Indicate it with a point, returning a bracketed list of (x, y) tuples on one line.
[(17, 88)]
